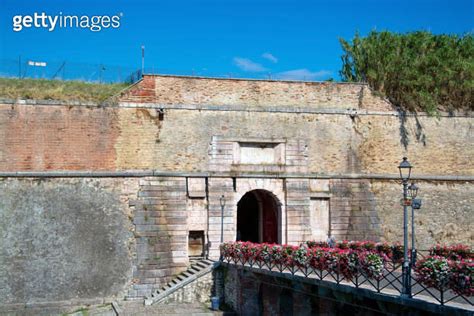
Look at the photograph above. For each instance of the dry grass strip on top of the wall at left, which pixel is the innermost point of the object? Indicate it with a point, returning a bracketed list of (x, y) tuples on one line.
[(43, 89)]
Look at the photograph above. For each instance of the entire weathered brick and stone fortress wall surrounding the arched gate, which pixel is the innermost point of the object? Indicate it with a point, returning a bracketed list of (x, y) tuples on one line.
[(127, 183)]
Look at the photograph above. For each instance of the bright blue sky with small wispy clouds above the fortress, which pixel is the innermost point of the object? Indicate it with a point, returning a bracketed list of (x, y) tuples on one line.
[(252, 39)]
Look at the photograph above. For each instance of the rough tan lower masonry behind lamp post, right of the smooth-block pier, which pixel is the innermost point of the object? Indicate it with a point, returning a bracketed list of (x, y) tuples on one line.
[(445, 216)]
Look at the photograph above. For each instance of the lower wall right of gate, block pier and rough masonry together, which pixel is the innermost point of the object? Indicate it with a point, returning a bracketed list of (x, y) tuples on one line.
[(370, 209)]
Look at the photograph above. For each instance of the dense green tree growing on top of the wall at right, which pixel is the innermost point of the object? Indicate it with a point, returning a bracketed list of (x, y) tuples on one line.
[(416, 71)]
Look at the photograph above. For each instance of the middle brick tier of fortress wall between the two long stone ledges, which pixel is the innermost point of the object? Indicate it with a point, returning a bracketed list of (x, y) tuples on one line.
[(48, 138)]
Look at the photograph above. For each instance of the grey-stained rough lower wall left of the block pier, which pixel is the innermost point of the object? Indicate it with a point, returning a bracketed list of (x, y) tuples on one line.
[(65, 239)]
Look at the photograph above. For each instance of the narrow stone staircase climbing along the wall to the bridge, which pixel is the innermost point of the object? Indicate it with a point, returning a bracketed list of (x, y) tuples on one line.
[(198, 268)]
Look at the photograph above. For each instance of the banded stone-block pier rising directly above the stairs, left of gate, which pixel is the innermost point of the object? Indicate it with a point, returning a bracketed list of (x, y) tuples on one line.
[(161, 232)]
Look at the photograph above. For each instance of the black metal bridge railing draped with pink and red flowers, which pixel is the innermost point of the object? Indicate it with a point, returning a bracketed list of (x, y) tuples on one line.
[(369, 269)]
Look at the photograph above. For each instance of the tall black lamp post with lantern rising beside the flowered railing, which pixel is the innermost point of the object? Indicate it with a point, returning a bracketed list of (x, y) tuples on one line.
[(405, 173)]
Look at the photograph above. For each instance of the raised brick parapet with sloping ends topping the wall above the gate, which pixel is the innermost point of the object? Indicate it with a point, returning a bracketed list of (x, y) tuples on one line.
[(253, 93)]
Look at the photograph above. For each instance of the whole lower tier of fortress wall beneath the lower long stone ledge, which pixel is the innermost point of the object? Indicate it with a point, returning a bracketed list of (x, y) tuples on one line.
[(93, 239)]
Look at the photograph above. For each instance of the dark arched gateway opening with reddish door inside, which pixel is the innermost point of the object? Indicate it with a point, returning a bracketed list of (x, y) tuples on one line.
[(258, 217)]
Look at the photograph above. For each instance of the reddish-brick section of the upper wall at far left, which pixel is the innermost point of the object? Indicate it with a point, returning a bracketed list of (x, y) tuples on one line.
[(57, 138)]
